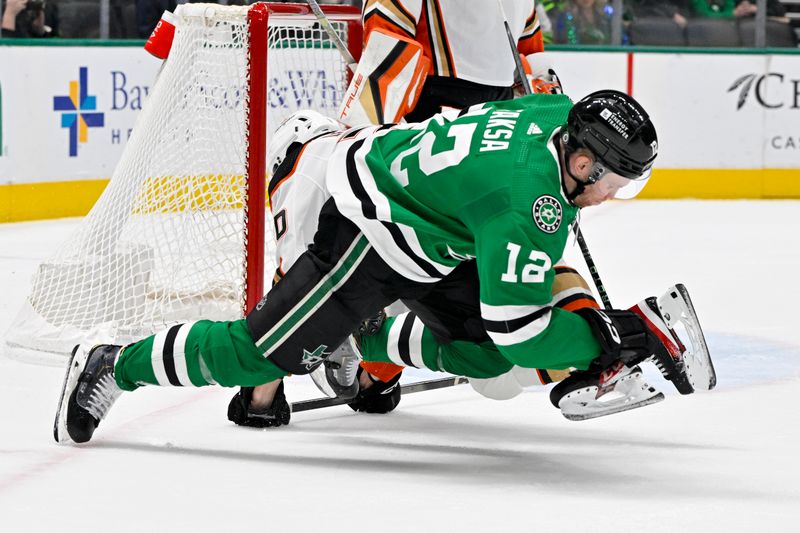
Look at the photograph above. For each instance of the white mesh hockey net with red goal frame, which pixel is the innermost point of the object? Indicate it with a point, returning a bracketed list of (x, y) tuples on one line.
[(182, 231)]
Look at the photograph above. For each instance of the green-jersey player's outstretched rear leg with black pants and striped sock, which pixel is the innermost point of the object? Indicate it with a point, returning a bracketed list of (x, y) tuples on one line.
[(317, 304)]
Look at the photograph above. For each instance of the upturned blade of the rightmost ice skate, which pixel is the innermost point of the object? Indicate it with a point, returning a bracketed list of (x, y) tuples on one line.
[(679, 313)]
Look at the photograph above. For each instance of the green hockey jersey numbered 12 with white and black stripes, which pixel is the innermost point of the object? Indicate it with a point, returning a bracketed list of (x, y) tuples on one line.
[(483, 184)]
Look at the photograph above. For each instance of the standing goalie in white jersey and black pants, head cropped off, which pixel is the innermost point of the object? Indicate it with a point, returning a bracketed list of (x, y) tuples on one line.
[(467, 47)]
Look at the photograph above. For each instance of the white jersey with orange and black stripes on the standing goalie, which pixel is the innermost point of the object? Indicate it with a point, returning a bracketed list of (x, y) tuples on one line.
[(464, 39)]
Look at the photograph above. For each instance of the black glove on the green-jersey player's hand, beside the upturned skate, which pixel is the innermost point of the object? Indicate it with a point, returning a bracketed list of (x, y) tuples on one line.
[(622, 336)]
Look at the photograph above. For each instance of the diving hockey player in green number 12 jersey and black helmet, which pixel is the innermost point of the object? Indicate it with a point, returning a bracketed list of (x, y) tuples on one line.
[(462, 217)]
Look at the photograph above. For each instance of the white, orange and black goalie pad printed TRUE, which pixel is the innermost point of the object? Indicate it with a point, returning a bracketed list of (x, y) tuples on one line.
[(387, 82)]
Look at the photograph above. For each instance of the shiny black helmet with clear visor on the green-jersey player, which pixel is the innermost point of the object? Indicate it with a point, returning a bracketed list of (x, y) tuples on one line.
[(618, 131)]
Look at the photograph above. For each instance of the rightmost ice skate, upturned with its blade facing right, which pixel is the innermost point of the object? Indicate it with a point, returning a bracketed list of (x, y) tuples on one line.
[(687, 364)]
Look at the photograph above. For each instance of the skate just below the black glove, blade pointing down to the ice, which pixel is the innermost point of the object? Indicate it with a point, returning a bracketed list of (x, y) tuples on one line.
[(594, 393)]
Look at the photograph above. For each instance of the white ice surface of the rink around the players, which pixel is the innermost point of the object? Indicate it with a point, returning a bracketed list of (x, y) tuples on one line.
[(729, 460)]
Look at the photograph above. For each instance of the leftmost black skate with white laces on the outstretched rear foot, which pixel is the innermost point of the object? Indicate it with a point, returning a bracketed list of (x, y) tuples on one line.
[(89, 392)]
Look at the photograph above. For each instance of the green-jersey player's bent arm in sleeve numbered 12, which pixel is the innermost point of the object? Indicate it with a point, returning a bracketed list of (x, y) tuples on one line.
[(516, 277)]
